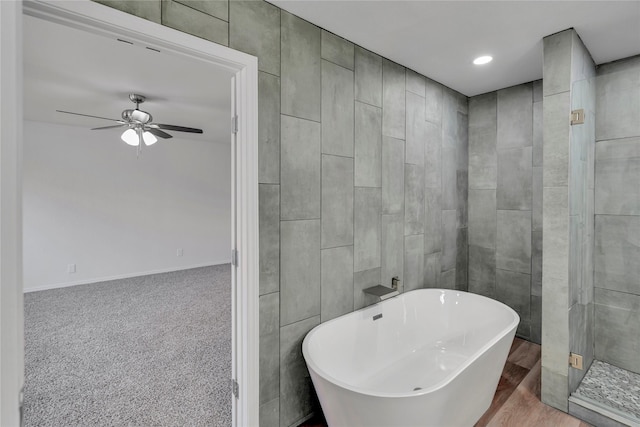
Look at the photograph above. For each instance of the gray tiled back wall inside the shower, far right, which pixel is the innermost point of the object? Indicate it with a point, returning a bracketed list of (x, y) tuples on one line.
[(617, 208)]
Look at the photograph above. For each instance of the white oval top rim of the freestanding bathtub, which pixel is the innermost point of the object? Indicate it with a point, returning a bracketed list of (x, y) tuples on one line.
[(312, 366)]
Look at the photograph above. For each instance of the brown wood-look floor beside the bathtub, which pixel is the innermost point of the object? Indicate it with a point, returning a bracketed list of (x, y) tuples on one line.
[(517, 399)]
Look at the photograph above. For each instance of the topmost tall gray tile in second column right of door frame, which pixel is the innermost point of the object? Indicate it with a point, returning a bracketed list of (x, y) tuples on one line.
[(300, 68)]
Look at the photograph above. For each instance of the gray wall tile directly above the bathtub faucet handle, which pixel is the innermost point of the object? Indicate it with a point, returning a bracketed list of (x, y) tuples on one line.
[(392, 249)]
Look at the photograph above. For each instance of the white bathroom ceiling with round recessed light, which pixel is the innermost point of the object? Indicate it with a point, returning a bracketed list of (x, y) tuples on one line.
[(441, 38)]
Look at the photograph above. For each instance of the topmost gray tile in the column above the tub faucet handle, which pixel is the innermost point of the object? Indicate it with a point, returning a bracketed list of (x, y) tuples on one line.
[(393, 99)]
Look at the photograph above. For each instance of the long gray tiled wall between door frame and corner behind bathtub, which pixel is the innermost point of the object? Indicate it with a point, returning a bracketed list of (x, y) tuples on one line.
[(363, 176)]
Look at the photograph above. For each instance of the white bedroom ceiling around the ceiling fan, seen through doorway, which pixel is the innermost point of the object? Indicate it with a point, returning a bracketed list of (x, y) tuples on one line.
[(73, 70)]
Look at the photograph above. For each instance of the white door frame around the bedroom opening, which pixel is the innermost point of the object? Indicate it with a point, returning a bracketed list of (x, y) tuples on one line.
[(93, 17)]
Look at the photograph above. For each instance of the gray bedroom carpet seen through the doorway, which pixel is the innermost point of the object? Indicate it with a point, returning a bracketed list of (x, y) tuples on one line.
[(146, 351)]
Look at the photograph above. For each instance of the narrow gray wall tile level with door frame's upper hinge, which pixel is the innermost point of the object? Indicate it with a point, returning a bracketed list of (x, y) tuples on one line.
[(268, 128)]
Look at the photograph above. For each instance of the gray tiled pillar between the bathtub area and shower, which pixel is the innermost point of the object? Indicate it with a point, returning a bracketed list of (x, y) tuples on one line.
[(566, 265)]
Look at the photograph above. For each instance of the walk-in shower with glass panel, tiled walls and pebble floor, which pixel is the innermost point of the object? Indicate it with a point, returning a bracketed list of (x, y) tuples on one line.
[(604, 246)]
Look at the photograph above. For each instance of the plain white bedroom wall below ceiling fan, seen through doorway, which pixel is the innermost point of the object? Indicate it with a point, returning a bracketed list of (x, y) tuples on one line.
[(89, 201)]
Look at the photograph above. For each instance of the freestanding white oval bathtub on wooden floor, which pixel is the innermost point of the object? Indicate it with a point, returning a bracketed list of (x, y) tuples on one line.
[(429, 357)]
